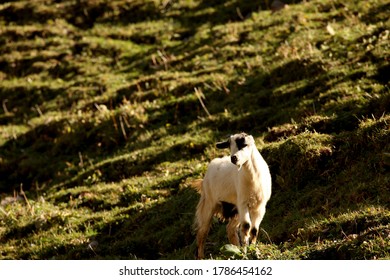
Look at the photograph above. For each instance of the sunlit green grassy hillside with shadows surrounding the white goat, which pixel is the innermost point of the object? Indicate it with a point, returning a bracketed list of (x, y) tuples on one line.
[(111, 108)]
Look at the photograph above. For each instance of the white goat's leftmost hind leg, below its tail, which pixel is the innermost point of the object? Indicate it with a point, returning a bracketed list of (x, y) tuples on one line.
[(204, 214)]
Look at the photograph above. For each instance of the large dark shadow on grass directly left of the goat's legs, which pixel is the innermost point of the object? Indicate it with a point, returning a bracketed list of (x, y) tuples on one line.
[(151, 232)]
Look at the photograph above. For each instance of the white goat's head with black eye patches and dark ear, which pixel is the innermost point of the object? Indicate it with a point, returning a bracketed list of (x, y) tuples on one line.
[(240, 147)]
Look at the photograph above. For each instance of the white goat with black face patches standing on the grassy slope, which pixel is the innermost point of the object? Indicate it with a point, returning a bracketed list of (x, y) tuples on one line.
[(236, 188)]
